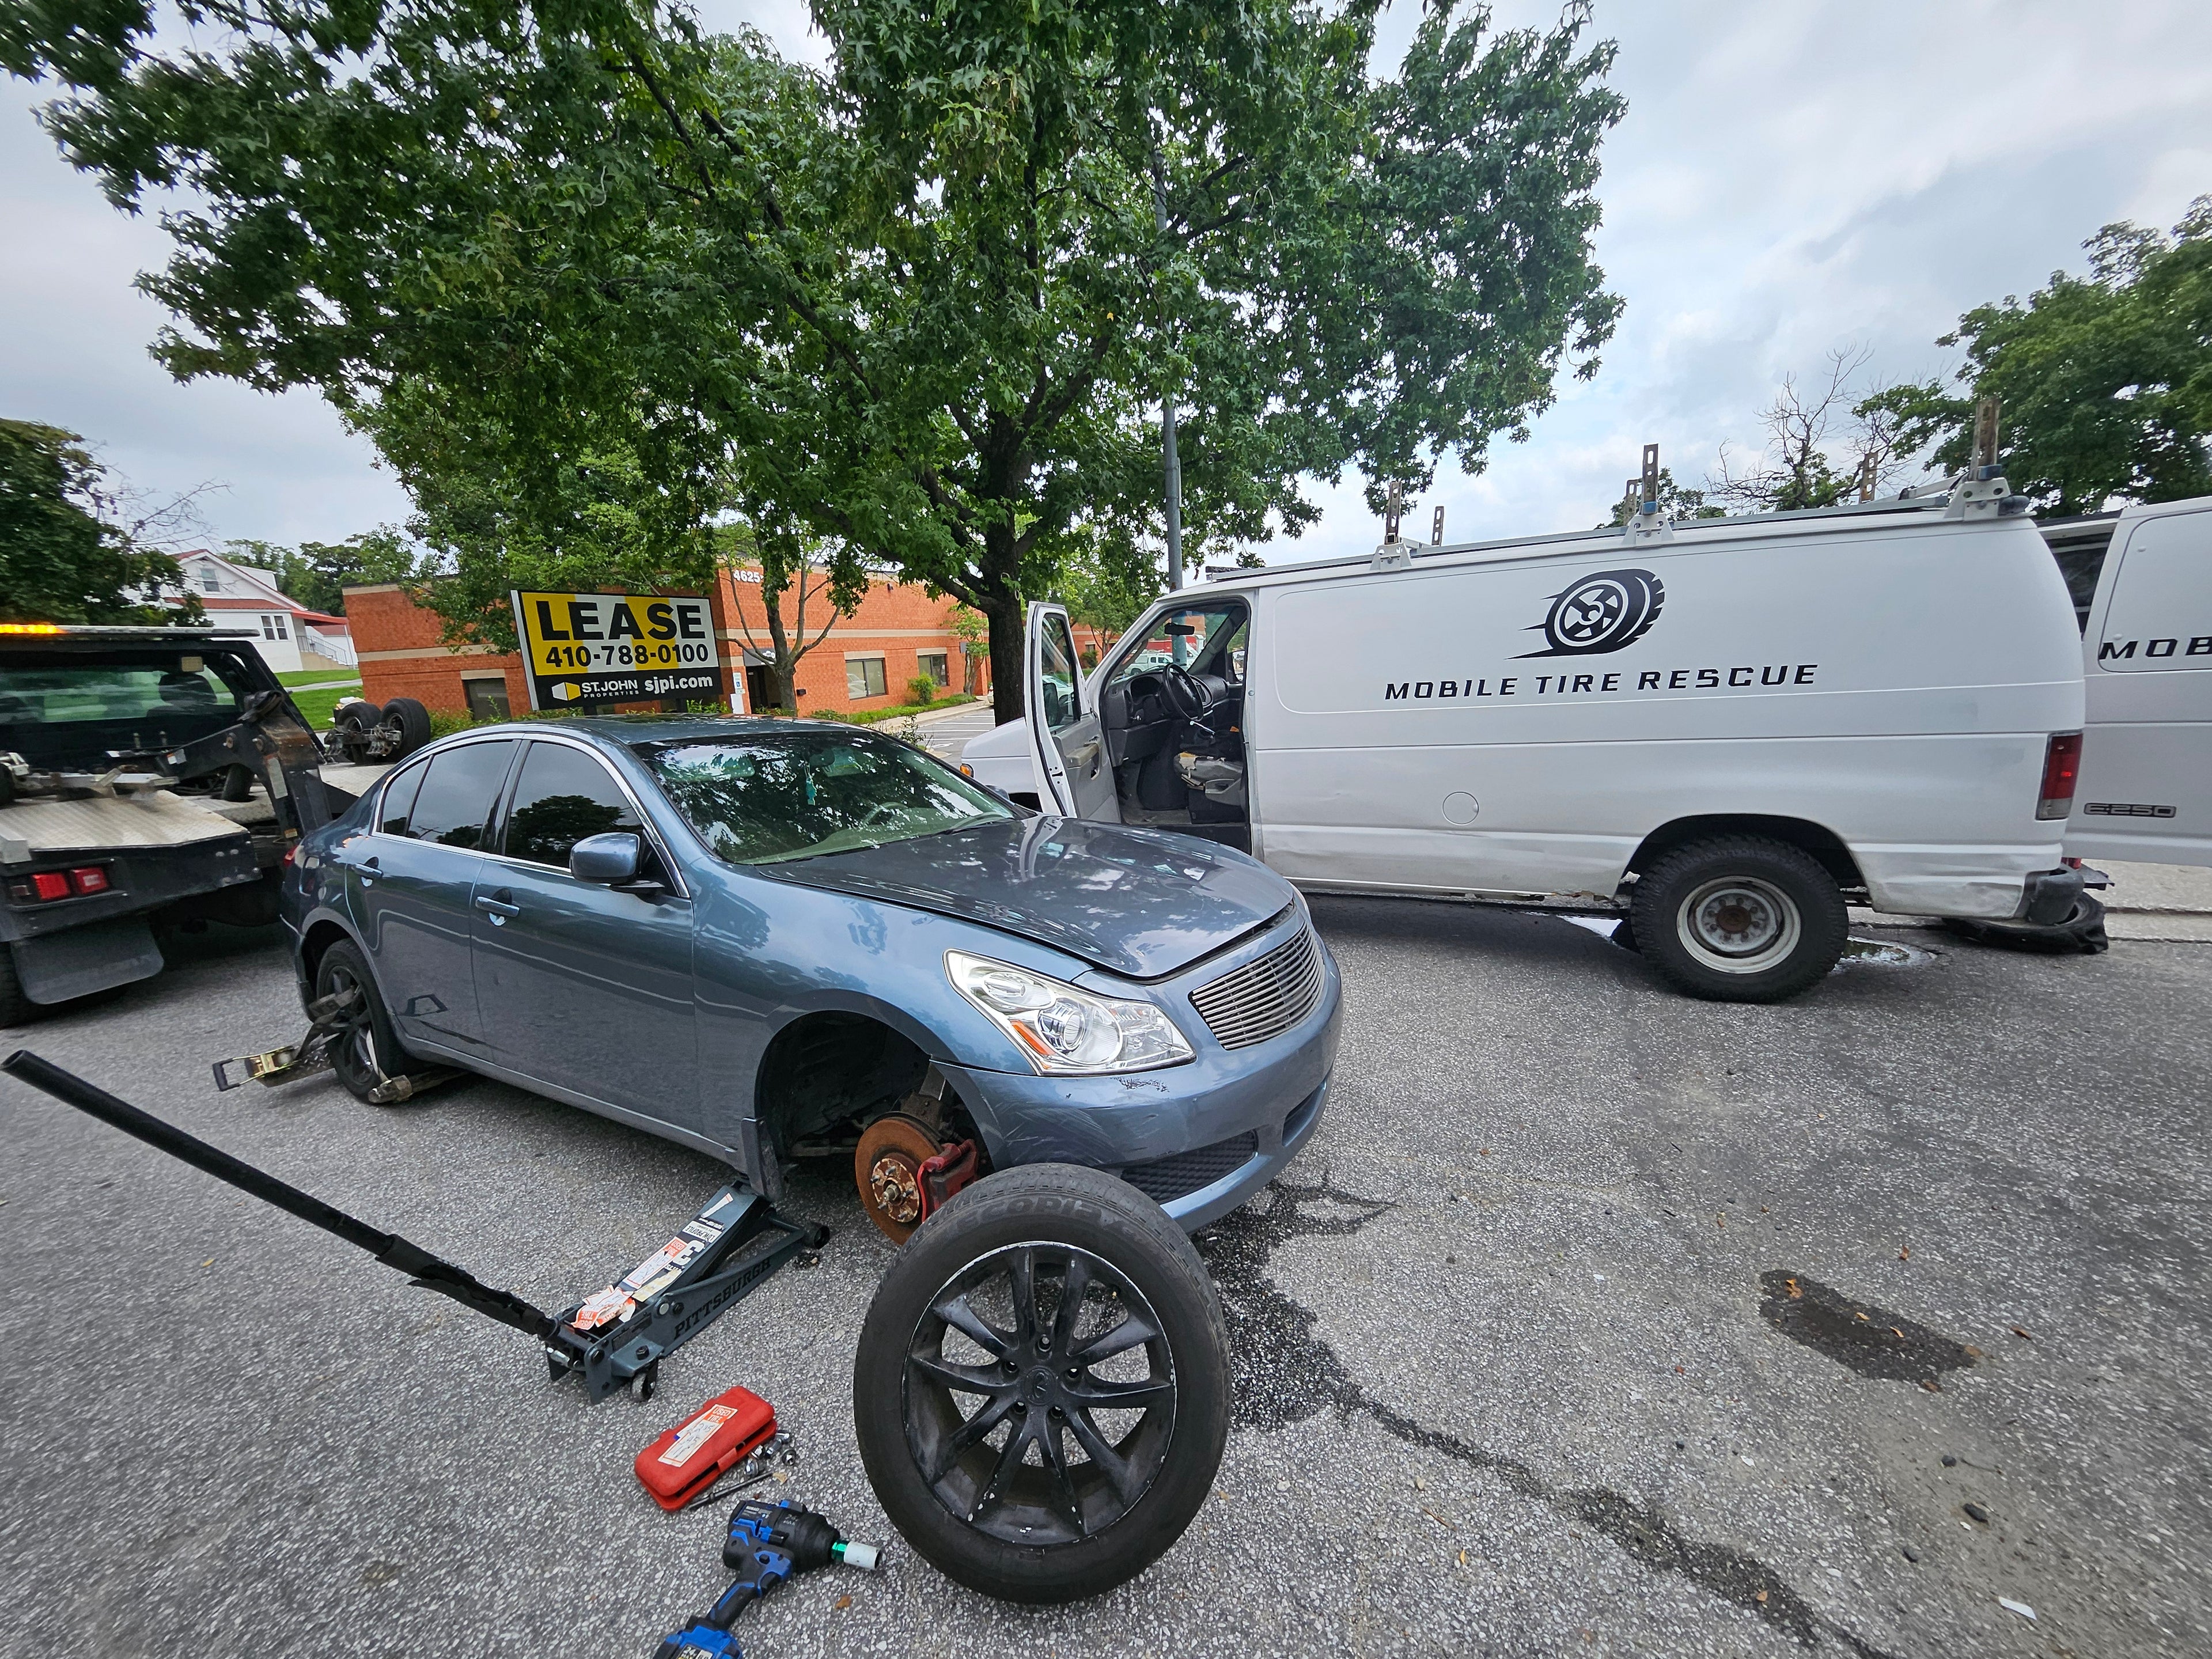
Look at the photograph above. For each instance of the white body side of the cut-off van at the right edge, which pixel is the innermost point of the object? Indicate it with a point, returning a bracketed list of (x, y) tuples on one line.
[(2147, 749)]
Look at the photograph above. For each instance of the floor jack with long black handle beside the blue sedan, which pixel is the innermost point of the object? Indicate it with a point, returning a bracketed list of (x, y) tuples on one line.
[(614, 1339)]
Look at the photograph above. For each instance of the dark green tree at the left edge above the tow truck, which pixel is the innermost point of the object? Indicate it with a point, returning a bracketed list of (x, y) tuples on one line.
[(63, 556)]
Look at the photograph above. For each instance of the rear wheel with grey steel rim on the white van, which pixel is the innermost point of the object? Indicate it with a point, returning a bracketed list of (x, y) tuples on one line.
[(1740, 919)]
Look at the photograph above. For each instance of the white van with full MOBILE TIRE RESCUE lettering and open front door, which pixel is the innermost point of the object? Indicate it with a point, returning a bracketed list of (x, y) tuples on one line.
[(1722, 729)]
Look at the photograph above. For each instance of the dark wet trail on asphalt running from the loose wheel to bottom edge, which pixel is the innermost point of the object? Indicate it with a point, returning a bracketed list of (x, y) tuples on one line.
[(1284, 1373)]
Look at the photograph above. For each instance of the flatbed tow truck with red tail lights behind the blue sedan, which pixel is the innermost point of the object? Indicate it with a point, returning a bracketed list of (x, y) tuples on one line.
[(149, 778)]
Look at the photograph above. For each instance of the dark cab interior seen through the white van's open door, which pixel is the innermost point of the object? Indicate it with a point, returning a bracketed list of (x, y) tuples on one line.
[(1171, 713)]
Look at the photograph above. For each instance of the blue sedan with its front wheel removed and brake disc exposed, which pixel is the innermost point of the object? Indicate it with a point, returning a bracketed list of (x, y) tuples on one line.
[(775, 941)]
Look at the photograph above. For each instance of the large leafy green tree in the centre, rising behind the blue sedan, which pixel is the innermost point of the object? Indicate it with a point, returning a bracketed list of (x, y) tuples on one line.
[(924, 306)]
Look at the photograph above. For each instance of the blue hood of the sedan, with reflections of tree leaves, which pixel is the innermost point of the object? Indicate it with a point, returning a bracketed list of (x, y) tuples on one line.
[(1142, 904)]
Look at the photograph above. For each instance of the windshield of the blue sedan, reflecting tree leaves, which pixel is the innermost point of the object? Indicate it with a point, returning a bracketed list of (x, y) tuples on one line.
[(800, 795)]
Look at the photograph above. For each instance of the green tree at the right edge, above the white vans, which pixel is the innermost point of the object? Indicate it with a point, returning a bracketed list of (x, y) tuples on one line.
[(2105, 382)]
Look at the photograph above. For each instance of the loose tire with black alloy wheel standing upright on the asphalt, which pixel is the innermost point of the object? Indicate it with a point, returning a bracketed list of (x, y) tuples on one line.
[(968, 1328)]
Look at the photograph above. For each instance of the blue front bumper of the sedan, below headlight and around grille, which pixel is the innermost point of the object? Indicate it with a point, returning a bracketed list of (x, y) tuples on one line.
[(1200, 1138)]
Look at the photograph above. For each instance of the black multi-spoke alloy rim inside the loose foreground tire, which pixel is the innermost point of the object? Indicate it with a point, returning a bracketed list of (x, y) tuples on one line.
[(1014, 1428)]
